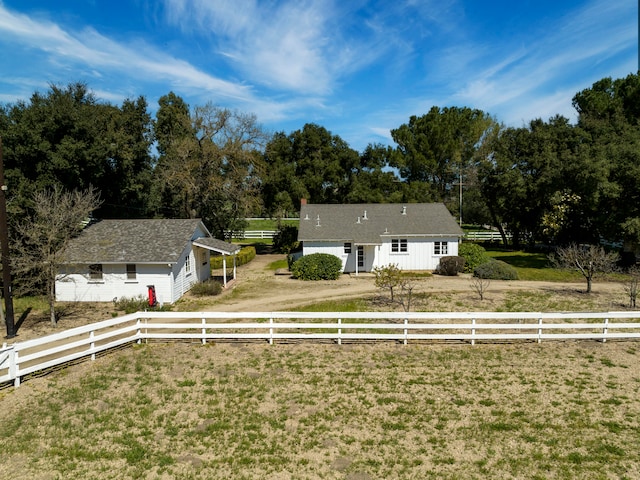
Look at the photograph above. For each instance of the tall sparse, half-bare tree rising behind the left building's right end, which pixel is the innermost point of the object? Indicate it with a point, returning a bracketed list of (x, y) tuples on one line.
[(212, 170)]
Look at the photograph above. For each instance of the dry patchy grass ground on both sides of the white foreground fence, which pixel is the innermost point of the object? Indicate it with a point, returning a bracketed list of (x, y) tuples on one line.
[(556, 410)]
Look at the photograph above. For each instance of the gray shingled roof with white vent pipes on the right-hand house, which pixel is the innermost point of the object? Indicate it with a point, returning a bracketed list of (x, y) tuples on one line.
[(350, 223)]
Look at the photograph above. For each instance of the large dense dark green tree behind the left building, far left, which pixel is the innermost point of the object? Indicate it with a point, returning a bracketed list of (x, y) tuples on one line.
[(66, 137)]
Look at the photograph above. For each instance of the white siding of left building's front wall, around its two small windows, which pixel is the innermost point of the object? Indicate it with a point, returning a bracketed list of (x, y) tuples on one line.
[(77, 287)]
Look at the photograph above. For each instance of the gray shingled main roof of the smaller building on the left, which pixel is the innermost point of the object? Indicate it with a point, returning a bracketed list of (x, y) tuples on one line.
[(132, 241)]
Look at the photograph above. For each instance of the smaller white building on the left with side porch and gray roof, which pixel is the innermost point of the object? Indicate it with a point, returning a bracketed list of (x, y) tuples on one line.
[(124, 258)]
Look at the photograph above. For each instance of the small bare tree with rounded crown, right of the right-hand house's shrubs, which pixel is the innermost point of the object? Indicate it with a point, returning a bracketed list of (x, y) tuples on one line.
[(590, 260)]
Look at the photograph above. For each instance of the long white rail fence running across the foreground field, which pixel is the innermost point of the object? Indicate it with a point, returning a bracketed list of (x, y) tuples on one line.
[(28, 357)]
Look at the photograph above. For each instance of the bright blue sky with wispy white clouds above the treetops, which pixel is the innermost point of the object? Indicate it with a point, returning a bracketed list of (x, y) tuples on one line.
[(359, 68)]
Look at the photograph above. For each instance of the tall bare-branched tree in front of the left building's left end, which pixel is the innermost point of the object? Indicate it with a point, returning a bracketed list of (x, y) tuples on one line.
[(56, 218)]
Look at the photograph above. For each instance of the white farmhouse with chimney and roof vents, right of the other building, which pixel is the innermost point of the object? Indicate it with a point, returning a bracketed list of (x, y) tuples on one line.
[(414, 236)]
